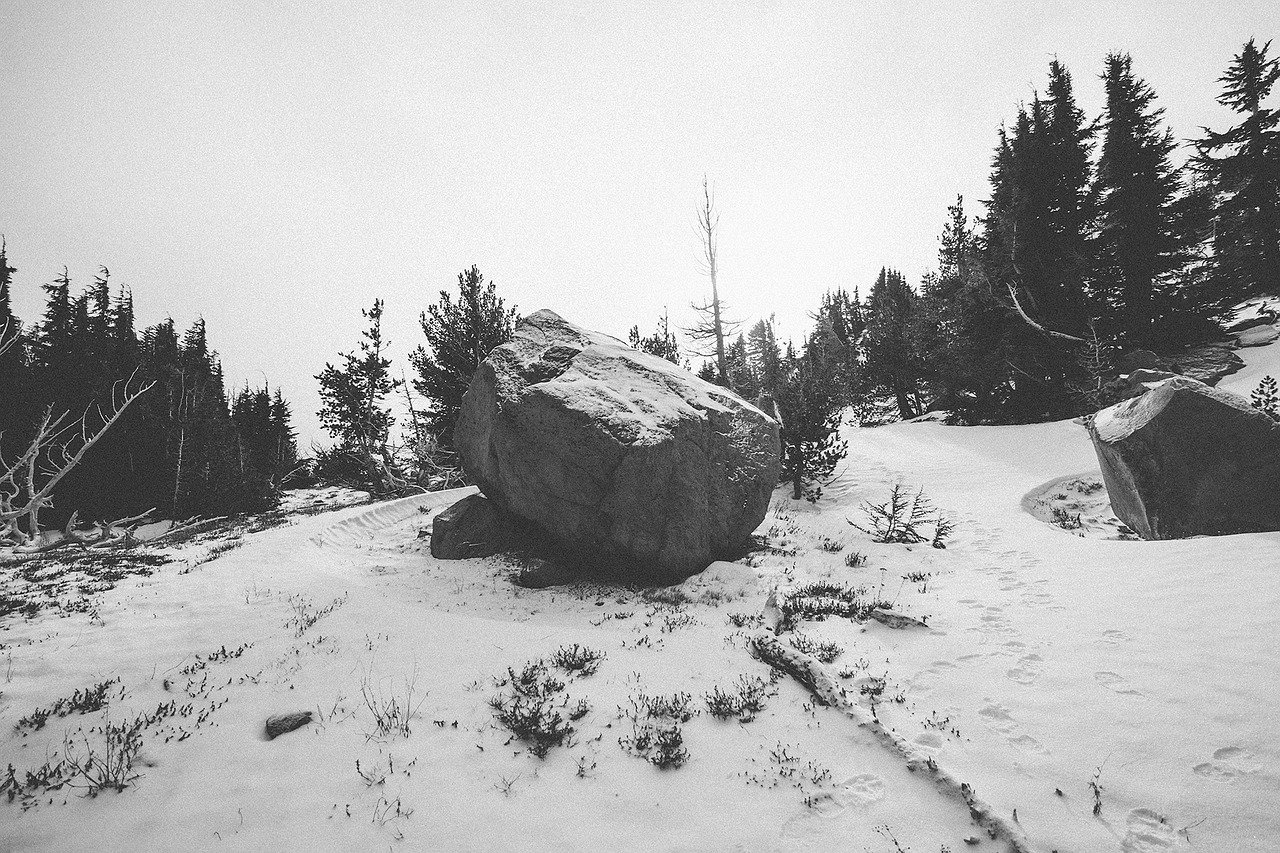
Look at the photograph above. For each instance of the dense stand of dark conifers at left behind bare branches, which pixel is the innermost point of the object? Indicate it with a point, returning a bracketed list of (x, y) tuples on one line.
[(177, 449)]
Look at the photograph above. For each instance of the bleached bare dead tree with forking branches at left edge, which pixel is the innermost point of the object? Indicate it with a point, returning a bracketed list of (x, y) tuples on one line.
[(58, 446)]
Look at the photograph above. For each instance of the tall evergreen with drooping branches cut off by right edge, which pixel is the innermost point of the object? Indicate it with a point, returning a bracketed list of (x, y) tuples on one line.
[(1244, 163)]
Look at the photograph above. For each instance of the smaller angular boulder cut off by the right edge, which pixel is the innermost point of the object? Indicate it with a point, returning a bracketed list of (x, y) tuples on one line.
[(1186, 459)]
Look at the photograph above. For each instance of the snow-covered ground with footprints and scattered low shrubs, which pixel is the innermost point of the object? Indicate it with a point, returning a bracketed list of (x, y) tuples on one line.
[(1096, 694)]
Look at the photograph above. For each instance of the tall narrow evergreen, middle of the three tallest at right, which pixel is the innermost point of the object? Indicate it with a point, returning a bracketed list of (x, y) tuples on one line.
[(1139, 249)]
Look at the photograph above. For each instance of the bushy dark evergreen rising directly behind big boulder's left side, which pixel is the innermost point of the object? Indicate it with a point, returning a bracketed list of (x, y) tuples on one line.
[(460, 335)]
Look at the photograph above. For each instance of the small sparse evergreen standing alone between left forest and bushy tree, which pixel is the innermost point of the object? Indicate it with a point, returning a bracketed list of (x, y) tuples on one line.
[(353, 396)]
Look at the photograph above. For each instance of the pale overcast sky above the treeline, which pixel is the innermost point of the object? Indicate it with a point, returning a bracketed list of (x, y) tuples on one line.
[(275, 167)]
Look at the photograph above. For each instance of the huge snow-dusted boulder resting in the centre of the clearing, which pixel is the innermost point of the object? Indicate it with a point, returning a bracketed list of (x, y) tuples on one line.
[(624, 458)]
